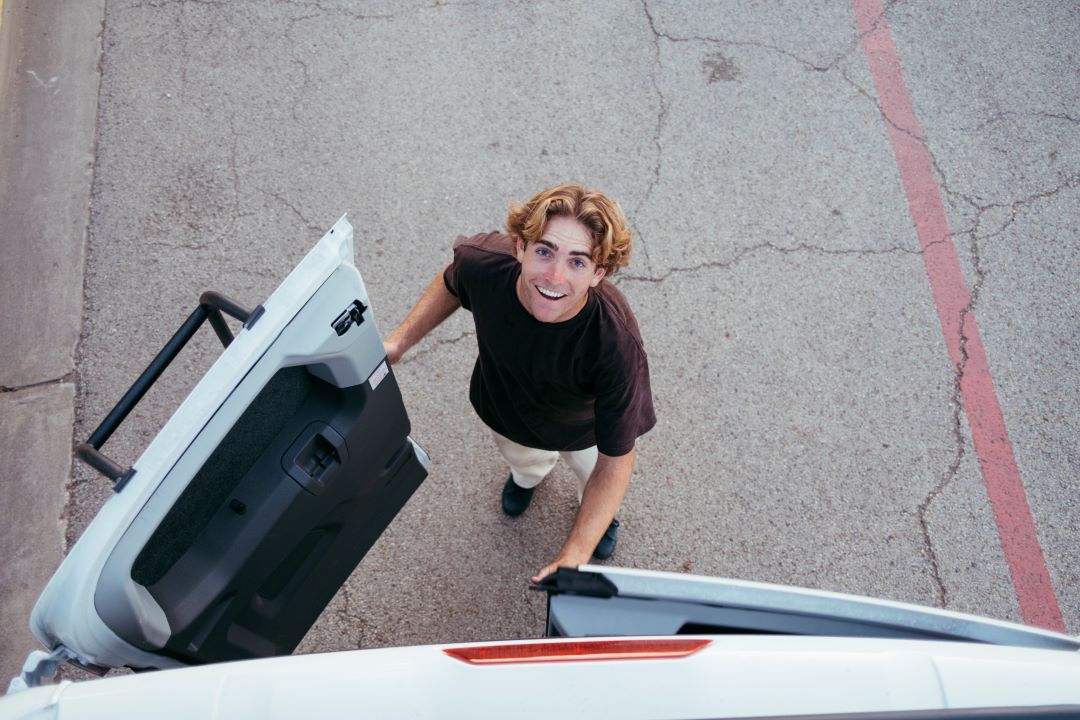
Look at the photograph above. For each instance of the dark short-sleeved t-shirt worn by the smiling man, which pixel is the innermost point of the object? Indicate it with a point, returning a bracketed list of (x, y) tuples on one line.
[(563, 386)]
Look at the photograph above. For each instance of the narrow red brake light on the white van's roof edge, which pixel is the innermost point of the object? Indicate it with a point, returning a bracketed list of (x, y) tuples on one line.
[(564, 651)]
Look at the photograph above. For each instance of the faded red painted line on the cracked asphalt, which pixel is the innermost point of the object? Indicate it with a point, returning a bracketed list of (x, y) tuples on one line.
[(1038, 604)]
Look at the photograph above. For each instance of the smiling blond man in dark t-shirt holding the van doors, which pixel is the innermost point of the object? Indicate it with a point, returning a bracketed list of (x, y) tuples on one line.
[(562, 371)]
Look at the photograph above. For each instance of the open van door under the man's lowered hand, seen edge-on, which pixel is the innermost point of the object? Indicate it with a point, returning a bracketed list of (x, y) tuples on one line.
[(596, 601)]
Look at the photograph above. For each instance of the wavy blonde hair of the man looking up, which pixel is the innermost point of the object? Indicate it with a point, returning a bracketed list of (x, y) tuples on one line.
[(601, 215)]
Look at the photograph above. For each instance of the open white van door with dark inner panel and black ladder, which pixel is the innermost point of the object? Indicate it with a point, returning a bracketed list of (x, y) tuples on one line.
[(256, 501)]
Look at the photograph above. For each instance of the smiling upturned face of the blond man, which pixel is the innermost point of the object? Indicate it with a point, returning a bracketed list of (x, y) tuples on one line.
[(558, 271)]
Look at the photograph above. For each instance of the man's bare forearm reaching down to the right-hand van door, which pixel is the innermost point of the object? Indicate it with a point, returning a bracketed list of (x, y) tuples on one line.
[(600, 504)]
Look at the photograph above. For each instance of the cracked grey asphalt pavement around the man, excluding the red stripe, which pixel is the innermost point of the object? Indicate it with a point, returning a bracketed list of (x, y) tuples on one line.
[(812, 429)]
